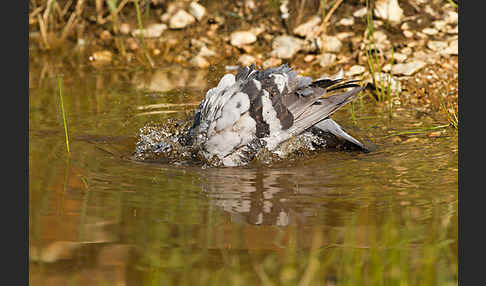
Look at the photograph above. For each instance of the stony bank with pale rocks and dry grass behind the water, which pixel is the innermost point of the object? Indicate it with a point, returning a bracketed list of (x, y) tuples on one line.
[(406, 50)]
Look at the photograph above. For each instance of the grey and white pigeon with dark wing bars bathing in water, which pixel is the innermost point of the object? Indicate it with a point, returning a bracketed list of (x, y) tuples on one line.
[(263, 108)]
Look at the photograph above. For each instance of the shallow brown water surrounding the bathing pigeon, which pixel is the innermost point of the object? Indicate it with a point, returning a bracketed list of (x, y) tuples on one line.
[(337, 218)]
